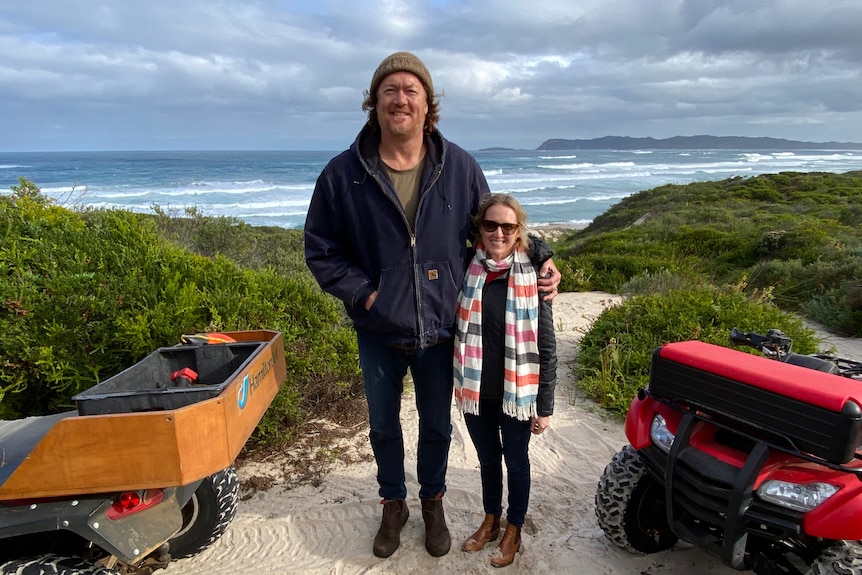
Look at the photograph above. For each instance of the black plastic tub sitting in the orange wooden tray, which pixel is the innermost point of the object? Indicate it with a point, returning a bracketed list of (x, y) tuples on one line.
[(147, 385)]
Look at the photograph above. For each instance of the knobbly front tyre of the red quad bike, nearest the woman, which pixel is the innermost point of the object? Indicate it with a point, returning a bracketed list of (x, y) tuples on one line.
[(630, 505)]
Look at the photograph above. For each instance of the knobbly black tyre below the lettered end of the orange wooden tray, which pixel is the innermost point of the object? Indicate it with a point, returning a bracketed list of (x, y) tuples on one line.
[(207, 514)]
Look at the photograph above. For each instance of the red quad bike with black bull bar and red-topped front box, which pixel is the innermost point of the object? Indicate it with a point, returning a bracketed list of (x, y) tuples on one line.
[(753, 459)]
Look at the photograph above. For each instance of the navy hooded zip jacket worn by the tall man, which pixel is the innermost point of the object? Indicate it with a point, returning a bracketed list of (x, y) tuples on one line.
[(357, 239)]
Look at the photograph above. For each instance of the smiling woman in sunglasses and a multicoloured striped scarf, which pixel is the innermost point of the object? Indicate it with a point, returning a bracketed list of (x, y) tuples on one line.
[(505, 367)]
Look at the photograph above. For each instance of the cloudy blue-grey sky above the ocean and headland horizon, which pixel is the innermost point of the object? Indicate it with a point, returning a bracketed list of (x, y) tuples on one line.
[(290, 74)]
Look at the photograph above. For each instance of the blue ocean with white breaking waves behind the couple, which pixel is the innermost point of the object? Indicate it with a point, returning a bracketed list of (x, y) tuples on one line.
[(272, 188)]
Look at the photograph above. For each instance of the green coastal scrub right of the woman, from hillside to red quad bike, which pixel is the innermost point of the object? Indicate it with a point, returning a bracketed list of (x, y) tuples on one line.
[(699, 259)]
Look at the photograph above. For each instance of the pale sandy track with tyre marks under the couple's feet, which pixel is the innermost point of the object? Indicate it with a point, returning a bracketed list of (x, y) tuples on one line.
[(328, 528)]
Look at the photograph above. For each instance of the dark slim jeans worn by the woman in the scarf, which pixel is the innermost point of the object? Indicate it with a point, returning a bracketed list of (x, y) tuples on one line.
[(497, 436)]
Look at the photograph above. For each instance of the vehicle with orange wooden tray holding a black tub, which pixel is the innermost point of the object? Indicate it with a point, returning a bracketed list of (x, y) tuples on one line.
[(142, 471)]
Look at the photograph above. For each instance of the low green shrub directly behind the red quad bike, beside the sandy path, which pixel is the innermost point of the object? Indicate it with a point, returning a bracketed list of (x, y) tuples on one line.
[(615, 354)]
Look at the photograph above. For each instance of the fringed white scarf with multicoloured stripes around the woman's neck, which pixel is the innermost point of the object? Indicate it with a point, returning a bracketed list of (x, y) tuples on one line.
[(521, 361)]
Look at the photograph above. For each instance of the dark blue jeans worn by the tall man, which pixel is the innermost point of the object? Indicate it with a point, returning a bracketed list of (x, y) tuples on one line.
[(383, 369)]
